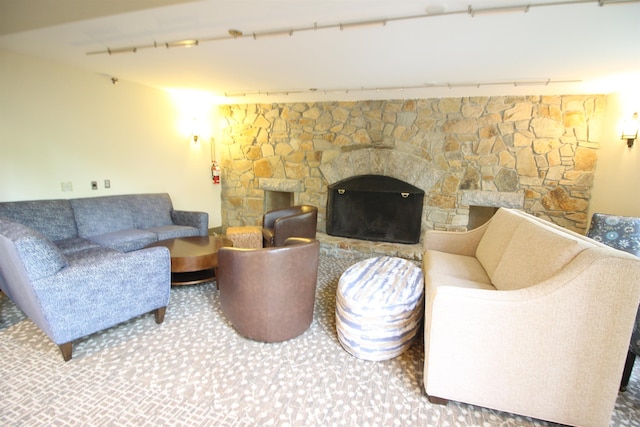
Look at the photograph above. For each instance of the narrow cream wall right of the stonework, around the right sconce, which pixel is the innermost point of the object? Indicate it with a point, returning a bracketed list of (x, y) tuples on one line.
[(616, 188)]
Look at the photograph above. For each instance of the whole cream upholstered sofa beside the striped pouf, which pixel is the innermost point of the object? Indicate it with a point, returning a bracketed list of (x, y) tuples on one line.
[(526, 317)]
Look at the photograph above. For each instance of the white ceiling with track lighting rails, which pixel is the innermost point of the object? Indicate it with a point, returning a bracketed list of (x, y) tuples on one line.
[(438, 50)]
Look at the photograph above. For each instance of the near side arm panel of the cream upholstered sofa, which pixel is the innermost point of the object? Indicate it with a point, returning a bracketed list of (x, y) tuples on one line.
[(563, 341)]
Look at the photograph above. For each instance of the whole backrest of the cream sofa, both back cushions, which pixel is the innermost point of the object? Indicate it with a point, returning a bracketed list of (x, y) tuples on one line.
[(522, 250)]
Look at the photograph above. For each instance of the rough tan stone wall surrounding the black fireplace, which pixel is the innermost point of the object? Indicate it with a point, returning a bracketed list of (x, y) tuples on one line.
[(536, 153)]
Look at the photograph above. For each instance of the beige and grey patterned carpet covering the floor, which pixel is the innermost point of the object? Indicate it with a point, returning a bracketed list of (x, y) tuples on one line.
[(194, 370)]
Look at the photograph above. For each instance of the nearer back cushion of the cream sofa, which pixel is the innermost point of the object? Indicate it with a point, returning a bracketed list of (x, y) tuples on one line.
[(534, 254)]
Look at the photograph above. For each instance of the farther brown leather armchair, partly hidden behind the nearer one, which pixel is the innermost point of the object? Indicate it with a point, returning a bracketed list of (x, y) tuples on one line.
[(295, 221)]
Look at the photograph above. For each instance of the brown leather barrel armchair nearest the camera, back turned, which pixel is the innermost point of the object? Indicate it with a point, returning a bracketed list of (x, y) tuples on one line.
[(268, 294)]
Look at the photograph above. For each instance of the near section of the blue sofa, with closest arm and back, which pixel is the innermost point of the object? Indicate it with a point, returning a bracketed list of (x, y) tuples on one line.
[(74, 295)]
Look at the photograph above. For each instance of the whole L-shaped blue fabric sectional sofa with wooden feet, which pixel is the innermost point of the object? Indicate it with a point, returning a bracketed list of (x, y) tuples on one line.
[(78, 266)]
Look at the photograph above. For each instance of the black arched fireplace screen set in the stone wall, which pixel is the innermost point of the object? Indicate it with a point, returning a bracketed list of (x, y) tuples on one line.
[(375, 207)]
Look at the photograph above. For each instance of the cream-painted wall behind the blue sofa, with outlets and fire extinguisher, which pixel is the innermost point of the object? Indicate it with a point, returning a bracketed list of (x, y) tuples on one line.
[(60, 124)]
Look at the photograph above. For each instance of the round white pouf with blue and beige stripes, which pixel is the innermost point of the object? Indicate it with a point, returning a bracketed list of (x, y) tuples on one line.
[(379, 305)]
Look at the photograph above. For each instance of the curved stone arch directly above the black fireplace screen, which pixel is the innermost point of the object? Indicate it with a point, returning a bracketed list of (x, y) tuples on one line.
[(380, 161)]
